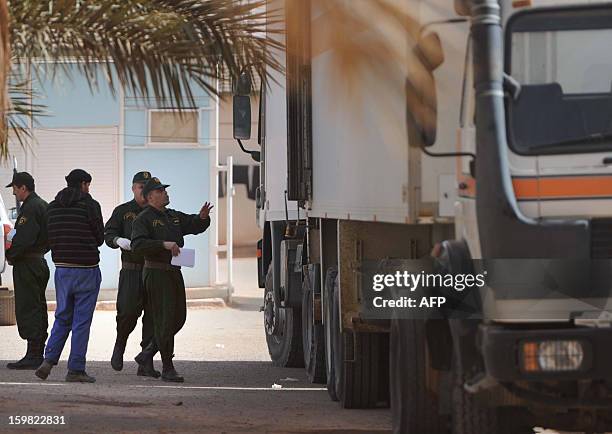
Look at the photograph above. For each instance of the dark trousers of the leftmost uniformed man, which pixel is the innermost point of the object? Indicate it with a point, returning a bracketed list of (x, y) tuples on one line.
[(30, 278)]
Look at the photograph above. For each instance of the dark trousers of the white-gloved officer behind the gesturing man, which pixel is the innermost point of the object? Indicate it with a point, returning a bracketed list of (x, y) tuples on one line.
[(131, 302)]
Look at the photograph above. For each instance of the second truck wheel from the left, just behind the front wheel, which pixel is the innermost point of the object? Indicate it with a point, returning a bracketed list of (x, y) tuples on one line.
[(313, 336)]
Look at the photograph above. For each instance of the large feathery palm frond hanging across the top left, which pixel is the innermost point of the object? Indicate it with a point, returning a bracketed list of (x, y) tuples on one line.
[(154, 48)]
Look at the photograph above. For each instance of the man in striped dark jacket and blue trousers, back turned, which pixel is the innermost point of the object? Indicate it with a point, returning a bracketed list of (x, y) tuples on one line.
[(76, 230)]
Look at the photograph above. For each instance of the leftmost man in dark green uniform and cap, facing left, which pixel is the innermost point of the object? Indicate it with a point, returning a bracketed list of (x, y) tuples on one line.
[(30, 271)]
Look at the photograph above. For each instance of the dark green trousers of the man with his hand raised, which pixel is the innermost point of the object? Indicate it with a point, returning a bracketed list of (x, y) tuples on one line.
[(166, 293)]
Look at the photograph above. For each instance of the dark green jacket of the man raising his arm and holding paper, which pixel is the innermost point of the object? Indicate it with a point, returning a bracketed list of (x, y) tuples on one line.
[(152, 227)]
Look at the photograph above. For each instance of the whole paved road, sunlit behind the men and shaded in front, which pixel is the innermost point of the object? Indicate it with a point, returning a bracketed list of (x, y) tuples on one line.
[(228, 388)]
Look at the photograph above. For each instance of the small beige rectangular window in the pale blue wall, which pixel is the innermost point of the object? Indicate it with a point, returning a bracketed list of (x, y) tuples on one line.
[(167, 126)]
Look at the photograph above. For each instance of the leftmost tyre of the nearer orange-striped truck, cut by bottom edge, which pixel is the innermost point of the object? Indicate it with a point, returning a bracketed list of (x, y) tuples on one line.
[(413, 383)]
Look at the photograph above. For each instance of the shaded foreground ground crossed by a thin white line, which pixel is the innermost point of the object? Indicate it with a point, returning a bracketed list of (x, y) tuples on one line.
[(216, 397)]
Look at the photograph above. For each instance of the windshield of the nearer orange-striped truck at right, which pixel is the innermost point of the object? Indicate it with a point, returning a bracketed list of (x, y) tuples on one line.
[(565, 101)]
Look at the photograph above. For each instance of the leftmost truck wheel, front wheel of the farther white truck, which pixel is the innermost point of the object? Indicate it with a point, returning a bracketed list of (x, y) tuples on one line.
[(283, 328)]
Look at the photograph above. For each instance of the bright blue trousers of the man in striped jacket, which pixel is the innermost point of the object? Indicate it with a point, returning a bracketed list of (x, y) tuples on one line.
[(76, 291)]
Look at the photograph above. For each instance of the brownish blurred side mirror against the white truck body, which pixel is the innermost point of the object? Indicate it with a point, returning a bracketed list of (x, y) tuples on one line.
[(421, 97)]
